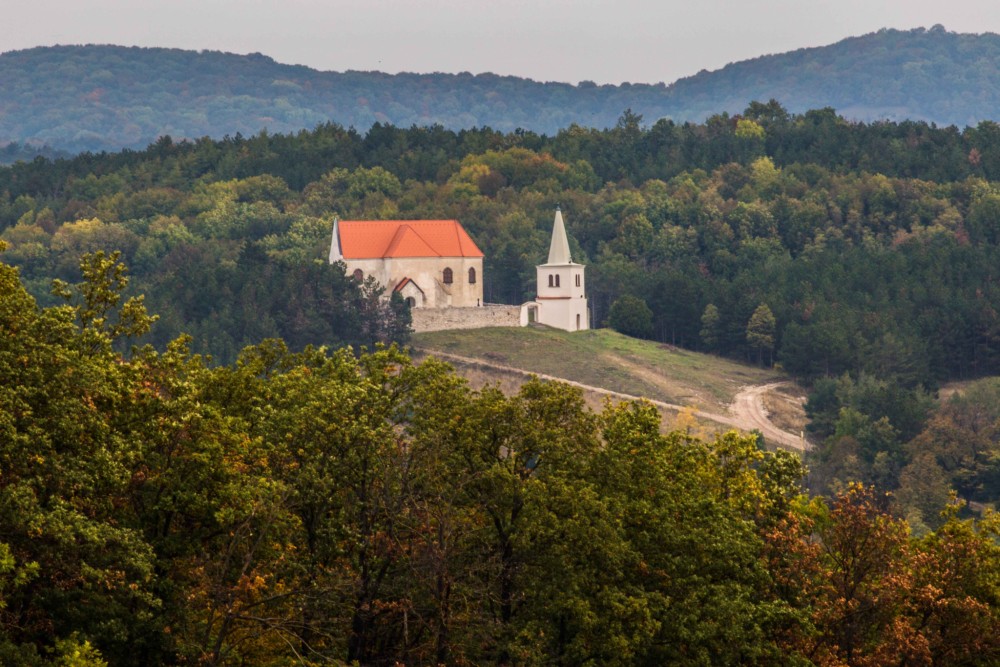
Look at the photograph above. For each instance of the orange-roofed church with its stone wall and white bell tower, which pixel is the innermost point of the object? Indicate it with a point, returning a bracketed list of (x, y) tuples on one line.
[(438, 269)]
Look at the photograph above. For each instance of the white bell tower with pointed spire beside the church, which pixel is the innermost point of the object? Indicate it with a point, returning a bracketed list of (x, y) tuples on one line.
[(562, 294)]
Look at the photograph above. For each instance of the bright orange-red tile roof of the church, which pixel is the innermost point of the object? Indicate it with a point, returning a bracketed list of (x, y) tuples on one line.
[(371, 239)]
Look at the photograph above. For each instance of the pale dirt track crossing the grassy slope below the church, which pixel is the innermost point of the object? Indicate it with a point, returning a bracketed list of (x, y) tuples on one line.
[(746, 412)]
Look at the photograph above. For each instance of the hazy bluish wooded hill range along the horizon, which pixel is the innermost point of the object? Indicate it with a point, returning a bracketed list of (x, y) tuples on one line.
[(77, 98)]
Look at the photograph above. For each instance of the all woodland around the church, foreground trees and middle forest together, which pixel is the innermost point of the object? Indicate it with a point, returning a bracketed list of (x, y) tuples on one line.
[(215, 504)]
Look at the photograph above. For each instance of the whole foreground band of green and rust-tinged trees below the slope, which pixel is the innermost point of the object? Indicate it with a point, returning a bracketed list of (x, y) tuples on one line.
[(322, 508)]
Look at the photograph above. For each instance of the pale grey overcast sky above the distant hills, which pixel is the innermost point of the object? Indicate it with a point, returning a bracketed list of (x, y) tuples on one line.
[(607, 41)]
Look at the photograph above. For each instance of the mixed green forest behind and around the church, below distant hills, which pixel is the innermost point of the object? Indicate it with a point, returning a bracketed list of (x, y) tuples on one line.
[(864, 253)]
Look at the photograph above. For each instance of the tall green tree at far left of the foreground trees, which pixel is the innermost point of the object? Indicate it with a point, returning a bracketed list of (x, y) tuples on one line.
[(72, 561)]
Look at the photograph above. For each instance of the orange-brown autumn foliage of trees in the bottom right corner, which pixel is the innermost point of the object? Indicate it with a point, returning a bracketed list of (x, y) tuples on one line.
[(877, 596)]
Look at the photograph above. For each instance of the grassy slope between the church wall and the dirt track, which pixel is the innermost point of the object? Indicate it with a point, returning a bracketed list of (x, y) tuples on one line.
[(606, 359)]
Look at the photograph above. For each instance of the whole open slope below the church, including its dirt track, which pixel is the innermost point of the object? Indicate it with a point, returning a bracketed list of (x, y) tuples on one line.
[(685, 385)]
